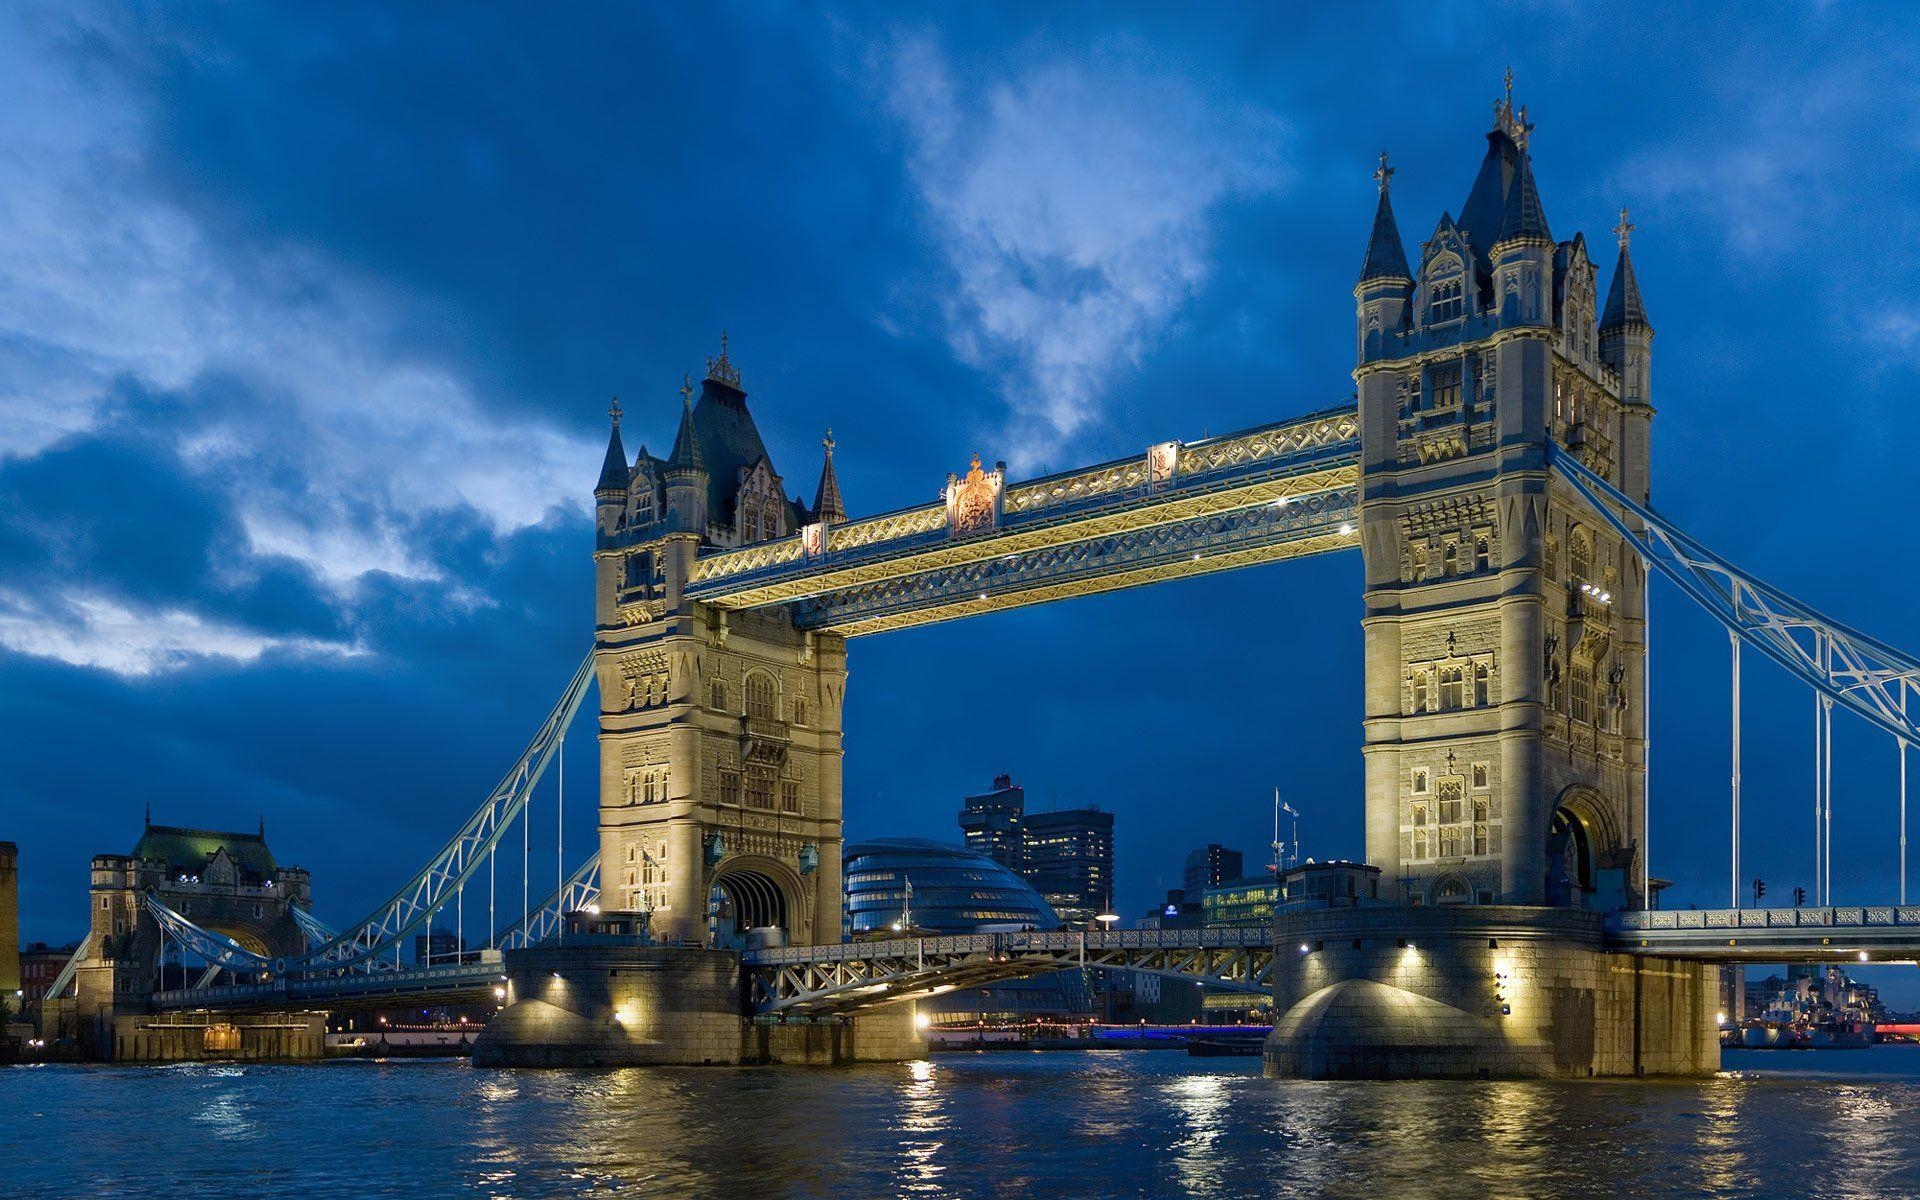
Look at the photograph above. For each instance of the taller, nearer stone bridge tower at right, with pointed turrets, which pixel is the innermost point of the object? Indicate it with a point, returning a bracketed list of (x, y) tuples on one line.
[(1504, 625)]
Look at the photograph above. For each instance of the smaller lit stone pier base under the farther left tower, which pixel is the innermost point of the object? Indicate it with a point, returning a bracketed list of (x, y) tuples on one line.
[(610, 1001)]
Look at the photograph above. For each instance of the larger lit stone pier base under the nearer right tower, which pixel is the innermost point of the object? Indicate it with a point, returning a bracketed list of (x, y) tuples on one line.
[(1479, 994)]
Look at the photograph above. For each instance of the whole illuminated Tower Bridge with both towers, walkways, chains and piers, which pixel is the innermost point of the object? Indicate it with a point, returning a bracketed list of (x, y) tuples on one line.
[(1493, 471)]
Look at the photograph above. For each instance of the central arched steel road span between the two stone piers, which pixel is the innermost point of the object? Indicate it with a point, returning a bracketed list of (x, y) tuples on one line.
[(853, 976)]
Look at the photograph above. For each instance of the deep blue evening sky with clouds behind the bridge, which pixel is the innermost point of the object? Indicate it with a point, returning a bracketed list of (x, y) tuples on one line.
[(310, 318)]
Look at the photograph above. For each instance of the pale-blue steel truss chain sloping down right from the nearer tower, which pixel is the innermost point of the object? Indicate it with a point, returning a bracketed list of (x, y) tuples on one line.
[(1844, 665)]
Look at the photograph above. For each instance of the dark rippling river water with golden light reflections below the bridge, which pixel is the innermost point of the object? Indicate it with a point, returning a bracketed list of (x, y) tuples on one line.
[(1063, 1124)]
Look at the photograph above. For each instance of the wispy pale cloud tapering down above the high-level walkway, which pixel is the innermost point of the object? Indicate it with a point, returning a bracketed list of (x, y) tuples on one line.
[(1074, 206)]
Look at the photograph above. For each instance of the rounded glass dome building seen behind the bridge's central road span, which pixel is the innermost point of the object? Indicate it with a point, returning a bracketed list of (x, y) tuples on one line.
[(957, 892)]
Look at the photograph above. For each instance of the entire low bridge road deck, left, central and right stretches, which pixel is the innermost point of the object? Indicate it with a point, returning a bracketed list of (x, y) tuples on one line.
[(852, 976)]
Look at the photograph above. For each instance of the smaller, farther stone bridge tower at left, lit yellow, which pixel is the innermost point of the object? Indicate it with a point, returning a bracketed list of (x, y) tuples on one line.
[(721, 732)]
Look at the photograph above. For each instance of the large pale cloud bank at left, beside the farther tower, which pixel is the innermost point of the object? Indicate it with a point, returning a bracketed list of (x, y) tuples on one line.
[(272, 375)]
